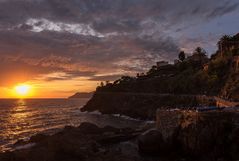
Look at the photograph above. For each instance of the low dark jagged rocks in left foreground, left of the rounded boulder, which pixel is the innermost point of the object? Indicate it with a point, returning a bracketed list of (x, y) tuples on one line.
[(85, 143)]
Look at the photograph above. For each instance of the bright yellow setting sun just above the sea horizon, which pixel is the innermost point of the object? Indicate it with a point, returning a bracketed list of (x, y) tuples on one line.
[(23, 90)]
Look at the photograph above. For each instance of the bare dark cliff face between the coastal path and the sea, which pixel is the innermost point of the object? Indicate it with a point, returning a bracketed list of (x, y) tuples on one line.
[(142, 106)]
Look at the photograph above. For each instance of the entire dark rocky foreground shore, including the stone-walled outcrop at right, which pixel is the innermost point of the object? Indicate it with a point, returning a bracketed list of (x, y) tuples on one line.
[(206, 136)]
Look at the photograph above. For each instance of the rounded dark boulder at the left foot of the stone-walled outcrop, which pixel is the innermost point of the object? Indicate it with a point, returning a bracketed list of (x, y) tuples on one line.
[(151, 143)]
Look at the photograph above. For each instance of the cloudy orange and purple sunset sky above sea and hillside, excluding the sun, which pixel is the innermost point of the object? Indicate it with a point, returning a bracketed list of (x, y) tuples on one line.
[(65, 46)]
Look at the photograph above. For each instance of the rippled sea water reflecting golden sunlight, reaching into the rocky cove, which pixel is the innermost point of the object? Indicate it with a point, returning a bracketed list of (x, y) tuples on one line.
[(20, 119)]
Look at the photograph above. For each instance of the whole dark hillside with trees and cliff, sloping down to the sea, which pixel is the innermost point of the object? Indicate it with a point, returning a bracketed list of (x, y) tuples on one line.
[(183, 84)]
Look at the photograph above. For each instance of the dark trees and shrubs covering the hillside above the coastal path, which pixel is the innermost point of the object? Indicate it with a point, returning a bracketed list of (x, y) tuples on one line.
[(196, 74)]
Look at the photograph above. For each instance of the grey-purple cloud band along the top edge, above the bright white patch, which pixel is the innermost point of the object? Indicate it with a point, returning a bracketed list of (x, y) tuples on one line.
[(119, 14)]
